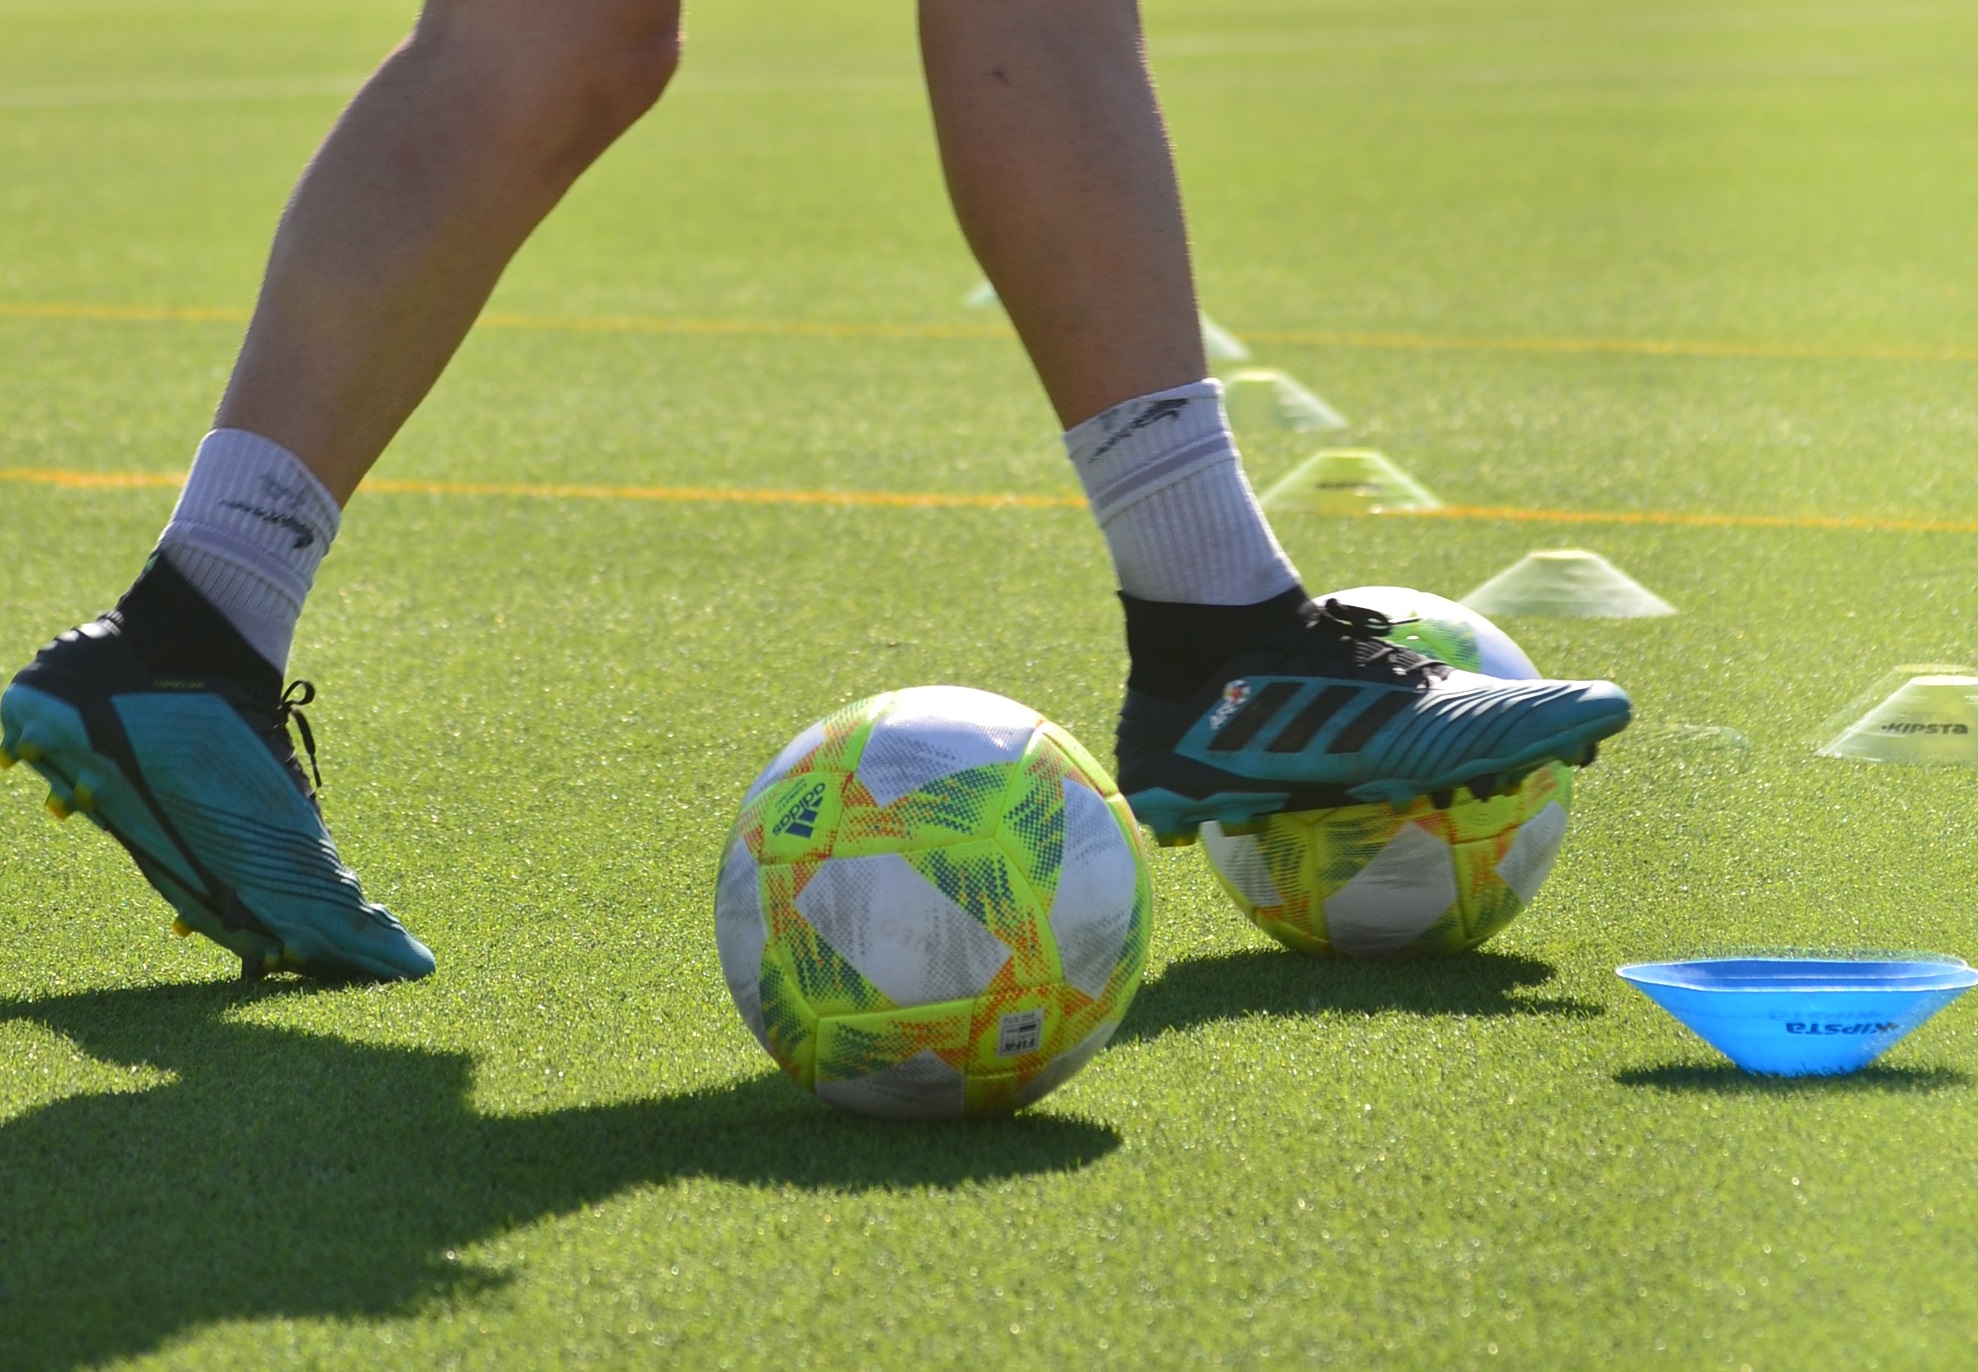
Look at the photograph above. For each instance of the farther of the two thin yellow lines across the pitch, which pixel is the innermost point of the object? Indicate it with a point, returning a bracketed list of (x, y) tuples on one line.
[(1291, 337)]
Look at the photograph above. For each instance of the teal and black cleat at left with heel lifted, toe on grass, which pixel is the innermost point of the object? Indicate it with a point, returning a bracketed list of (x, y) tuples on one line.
[(203, 788)]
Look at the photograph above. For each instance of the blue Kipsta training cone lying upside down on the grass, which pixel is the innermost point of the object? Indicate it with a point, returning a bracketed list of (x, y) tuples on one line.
[(1799, 1017)]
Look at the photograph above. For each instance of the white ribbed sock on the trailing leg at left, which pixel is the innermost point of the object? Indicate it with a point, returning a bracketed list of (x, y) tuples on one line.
[(250, 531)]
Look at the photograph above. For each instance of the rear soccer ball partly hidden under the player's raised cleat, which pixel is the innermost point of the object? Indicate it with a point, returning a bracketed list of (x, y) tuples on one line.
[(1370, 881)]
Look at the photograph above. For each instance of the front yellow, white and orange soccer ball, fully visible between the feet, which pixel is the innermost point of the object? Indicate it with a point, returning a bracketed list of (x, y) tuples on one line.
[(933, 904)]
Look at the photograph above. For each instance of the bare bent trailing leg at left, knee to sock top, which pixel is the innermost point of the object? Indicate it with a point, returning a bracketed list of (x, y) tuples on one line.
[(412, 209)]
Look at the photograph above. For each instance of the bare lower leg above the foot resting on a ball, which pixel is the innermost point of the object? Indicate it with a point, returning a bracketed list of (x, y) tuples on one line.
[(1059, 167)]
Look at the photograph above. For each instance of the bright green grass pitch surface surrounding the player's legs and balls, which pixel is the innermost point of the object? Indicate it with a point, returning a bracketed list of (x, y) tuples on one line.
[(539, 715)]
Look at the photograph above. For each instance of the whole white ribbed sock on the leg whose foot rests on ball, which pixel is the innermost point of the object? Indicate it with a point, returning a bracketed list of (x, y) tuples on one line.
[(1172, 497)]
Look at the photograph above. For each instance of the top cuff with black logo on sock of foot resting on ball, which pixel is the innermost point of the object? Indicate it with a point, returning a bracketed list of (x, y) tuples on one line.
[(1140, 448)]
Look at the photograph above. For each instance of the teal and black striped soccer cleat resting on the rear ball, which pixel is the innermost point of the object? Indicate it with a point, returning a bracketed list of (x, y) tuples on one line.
[(1328, 715)]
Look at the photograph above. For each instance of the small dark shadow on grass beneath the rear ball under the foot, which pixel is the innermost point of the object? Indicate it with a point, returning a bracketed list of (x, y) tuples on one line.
[(1265, 982)]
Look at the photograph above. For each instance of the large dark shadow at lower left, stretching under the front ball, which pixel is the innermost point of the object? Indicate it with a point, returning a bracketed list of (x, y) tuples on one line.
[(300, 1175)]
